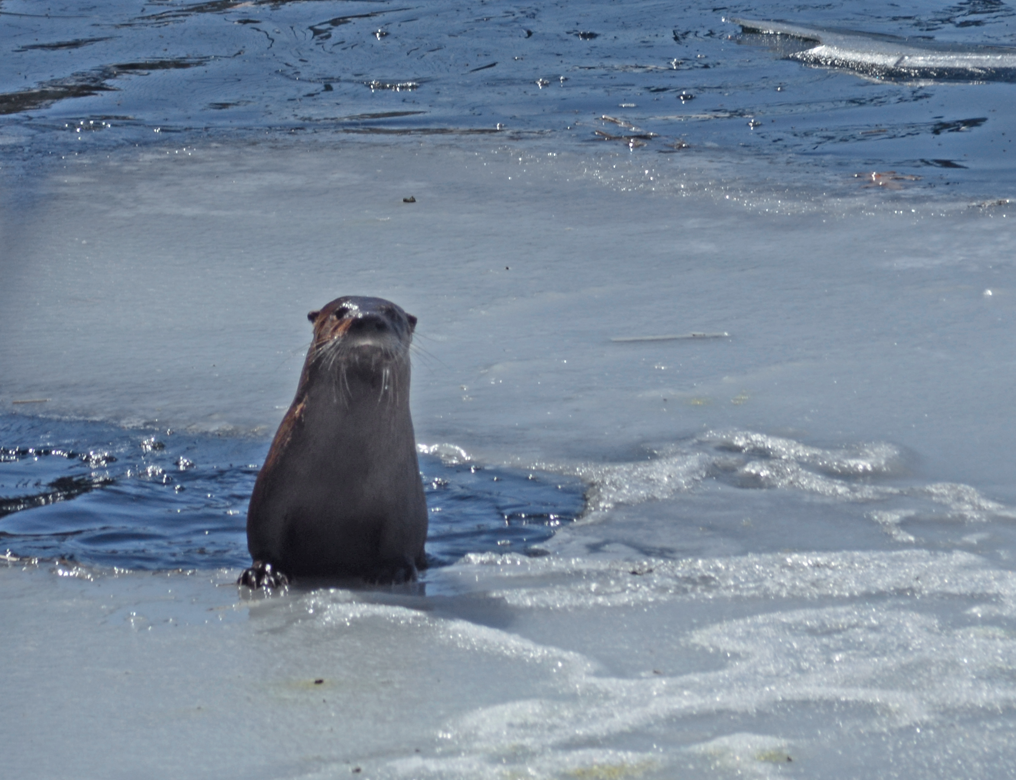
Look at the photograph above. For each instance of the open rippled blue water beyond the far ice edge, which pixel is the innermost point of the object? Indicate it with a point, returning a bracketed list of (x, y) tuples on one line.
[(657, 78)]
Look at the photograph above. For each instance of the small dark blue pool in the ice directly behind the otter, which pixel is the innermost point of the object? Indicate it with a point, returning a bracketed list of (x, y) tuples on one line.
[(155, 499)]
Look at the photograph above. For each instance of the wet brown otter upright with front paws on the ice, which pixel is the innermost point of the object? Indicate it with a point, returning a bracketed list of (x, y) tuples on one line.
[(340, 494)]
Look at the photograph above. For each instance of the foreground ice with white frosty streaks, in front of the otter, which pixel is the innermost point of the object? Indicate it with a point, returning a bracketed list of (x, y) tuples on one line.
[(535, 667)]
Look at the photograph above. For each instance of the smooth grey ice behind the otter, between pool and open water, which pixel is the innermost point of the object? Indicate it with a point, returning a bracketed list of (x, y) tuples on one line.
[(177, 290)]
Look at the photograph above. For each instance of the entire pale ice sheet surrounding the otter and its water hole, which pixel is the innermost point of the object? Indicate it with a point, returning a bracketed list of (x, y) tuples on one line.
[(799, 541)]
